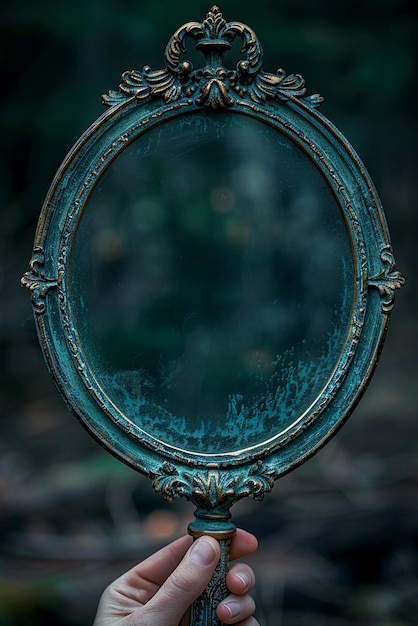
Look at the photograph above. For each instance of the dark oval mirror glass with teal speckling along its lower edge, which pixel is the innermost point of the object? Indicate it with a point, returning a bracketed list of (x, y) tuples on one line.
[(211, 282)]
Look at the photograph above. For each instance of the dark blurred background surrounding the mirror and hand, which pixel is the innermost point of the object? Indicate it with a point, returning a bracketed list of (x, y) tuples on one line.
[(339, 536)]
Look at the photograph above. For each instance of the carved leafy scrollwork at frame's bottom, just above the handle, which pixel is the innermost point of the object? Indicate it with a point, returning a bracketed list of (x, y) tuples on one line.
[(210, 488)]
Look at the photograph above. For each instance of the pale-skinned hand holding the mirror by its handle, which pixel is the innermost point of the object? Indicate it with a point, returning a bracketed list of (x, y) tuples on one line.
[(161, 589)]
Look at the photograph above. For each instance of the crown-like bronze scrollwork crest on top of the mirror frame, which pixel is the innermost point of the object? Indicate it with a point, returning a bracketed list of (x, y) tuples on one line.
[(213, 85)]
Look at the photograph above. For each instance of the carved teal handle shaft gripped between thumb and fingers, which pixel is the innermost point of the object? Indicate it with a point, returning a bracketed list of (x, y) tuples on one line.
[(204, 608)]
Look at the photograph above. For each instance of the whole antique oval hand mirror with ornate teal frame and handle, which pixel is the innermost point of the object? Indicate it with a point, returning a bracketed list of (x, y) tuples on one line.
[(212, 277)]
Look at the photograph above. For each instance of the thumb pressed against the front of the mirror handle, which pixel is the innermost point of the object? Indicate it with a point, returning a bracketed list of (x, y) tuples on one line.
[(184, 585)]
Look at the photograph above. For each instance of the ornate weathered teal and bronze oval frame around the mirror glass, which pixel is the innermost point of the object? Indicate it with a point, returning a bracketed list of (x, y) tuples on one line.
[(145, 99)]
